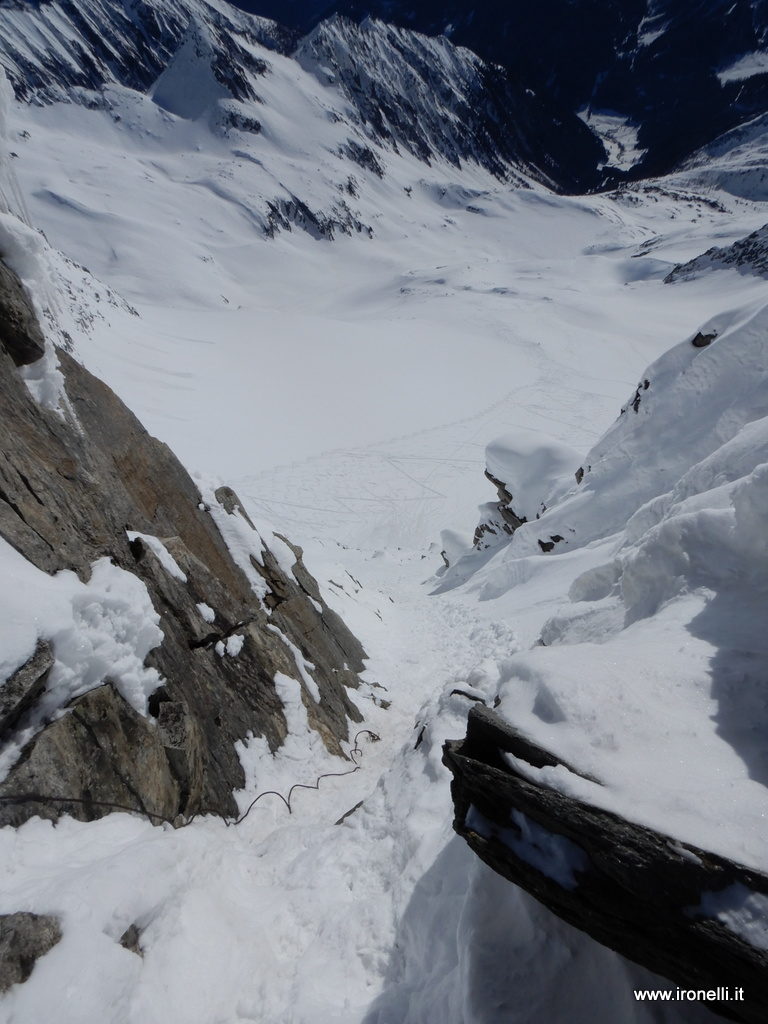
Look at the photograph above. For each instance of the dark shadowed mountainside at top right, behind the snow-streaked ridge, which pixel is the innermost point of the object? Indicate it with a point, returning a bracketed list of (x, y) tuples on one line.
[(680, 73)]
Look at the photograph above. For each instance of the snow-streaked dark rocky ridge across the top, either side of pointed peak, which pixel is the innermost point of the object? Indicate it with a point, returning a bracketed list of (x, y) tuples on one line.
[(389, 78)]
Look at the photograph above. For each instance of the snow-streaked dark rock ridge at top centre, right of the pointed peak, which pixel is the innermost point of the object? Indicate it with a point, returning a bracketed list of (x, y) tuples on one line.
[(441, 102)]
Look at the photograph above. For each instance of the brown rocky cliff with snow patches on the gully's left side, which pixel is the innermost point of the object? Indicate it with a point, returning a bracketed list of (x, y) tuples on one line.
[(87, 494)]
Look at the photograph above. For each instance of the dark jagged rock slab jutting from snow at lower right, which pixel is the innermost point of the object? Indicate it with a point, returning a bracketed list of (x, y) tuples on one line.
[(634, 890)]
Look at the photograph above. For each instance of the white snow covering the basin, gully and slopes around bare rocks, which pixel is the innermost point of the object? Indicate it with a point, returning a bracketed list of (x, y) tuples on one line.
[(349, 391)]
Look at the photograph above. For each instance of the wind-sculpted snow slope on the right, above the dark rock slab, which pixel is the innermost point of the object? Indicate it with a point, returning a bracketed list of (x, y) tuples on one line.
[(663, 646)]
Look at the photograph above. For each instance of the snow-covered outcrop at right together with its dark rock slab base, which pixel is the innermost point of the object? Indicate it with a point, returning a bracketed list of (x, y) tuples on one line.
[(623, 779)]
